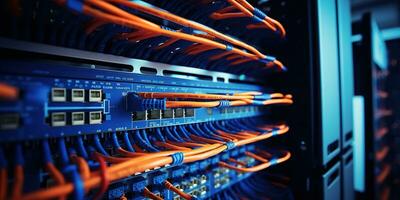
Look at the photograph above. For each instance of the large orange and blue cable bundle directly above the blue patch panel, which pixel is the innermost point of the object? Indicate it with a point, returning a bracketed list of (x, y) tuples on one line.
[(138, 30)]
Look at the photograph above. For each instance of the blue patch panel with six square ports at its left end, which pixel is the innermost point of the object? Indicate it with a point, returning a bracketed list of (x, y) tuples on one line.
[(113, 106)]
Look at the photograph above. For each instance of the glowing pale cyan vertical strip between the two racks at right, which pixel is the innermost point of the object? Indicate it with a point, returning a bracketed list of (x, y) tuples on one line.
[(359, 143)]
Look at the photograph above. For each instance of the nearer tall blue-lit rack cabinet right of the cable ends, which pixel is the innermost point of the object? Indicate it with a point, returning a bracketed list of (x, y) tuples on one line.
[(323, 137)]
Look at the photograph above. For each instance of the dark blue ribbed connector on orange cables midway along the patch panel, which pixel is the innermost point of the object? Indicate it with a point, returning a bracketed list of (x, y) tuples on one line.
[(134, 102)]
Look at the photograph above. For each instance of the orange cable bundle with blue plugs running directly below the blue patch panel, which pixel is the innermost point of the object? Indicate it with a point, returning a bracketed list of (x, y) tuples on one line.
[(81, 165)]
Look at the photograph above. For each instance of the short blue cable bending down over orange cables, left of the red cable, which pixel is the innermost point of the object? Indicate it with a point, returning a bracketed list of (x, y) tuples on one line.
[(79, 189)]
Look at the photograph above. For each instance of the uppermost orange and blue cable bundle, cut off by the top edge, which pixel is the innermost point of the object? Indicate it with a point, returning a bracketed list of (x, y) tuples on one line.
[(237, 17)]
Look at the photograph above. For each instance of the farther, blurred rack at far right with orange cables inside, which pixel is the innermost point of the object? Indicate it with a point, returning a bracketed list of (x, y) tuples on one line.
[(370, 85)]
